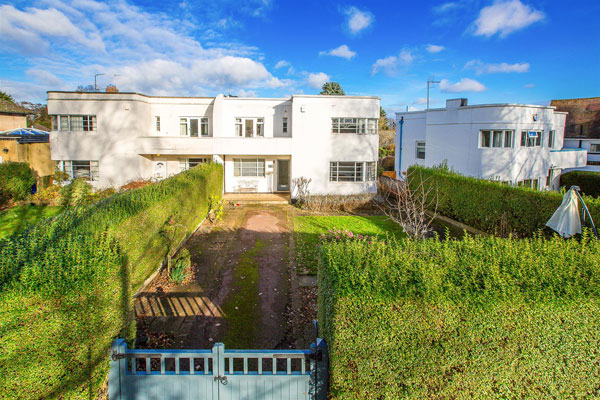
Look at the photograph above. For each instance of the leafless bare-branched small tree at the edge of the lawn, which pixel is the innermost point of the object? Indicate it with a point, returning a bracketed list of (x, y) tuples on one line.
[(412, 208)]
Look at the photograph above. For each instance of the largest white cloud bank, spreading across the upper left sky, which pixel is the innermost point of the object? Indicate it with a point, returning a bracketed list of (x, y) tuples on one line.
[(154, 53)]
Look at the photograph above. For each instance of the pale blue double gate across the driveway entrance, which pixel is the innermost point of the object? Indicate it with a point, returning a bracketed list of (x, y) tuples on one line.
[(218, 374)]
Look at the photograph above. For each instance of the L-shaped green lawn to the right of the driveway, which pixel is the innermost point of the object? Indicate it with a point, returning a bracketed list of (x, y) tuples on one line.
[(308, 228)]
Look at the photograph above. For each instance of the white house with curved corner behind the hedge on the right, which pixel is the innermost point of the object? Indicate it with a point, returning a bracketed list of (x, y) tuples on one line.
[(513, 143)]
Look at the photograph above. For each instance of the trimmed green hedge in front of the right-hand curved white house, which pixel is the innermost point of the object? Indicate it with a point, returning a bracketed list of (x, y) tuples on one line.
[(491, 206)]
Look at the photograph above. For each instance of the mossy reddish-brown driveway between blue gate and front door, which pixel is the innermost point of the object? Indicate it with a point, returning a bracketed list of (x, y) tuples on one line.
[(242, 290)]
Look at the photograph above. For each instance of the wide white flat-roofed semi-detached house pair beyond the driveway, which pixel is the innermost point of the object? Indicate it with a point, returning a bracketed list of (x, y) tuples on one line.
[(114, 138)]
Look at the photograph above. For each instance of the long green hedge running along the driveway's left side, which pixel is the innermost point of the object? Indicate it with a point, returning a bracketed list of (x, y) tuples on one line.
[(66, 283)]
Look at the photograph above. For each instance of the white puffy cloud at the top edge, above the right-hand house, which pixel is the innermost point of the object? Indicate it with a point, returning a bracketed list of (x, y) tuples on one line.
[(504, 17)]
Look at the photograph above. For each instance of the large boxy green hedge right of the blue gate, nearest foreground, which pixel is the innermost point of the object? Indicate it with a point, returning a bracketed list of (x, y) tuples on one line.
[(477, 318)]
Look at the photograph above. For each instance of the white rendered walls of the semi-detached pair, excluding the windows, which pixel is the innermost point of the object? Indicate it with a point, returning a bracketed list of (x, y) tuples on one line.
[(126, 141)]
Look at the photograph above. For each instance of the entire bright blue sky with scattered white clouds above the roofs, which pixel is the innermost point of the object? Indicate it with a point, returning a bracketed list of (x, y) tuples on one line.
[(526, 51)]
